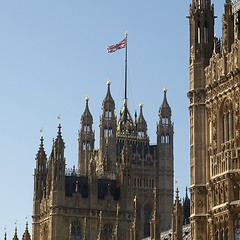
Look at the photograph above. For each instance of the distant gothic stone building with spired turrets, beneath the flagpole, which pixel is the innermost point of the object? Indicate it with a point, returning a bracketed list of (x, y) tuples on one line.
[(123, 190)]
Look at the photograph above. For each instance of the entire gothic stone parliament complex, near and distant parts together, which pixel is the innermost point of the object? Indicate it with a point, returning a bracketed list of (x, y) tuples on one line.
[(124, 190)]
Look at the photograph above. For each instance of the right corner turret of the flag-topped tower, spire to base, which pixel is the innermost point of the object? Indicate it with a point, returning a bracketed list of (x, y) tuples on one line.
[(165, 165)]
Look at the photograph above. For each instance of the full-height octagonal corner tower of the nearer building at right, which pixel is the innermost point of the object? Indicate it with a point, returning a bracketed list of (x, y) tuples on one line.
[(201, 22)]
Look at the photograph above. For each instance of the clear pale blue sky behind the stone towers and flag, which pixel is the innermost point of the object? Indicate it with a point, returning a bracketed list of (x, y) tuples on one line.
[(53, 54)]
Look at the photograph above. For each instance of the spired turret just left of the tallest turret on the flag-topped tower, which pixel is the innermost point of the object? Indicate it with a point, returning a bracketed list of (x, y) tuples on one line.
[(85, 141)]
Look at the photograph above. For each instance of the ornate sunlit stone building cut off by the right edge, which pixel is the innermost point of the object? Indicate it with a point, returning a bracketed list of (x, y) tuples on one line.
[(214, 122)]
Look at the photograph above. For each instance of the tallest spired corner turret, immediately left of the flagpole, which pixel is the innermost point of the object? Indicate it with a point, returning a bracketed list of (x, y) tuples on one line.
[(108, 125)]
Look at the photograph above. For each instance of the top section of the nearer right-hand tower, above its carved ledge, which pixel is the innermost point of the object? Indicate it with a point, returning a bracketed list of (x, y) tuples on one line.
[(201, 22)]
